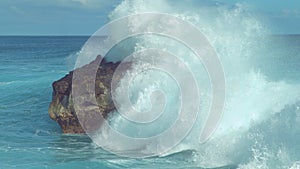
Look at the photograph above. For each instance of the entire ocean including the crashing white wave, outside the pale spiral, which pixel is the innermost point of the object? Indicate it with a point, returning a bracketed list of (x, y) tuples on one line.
[(260, 123)]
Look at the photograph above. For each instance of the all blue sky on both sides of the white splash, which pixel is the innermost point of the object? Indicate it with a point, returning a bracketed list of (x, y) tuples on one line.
[(84, 17)]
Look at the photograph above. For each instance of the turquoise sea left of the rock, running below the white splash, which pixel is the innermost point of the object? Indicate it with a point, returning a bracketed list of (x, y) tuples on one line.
[(28, 138)]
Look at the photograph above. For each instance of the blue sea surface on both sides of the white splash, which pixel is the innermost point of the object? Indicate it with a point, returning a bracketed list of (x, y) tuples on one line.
[(30, 139)]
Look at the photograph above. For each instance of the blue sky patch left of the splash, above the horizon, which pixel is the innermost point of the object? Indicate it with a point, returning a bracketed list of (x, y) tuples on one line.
[(53, 17)]
